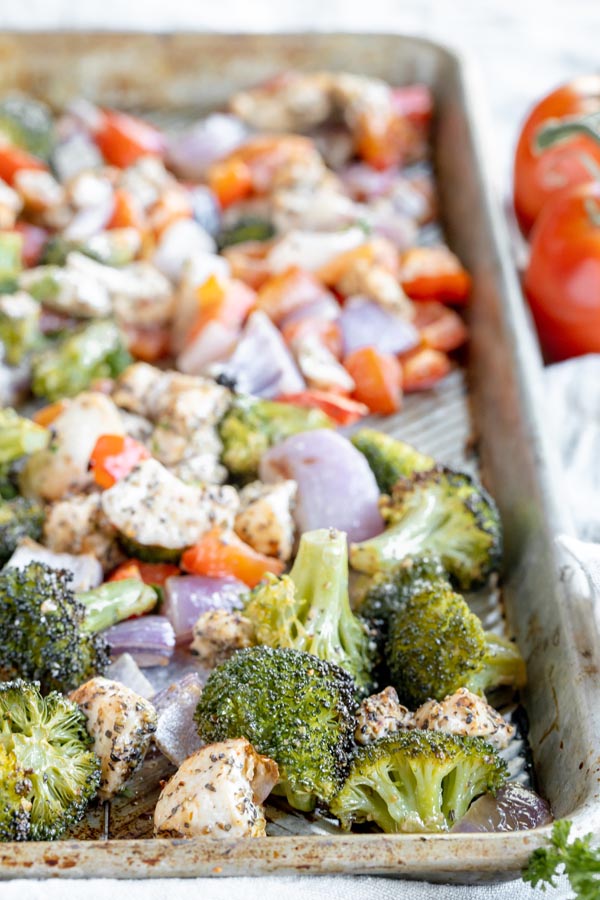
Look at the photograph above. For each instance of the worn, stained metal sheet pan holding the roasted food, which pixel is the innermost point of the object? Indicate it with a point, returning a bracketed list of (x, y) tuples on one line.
[(551, 623)]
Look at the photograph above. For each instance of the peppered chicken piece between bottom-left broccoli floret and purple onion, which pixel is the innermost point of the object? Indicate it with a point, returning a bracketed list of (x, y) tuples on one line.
[(122, 724)]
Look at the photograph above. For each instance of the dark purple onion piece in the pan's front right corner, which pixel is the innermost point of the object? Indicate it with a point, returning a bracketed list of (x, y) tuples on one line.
[(514, 808)]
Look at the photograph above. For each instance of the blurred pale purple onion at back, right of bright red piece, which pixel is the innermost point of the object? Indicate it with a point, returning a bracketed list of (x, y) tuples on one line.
[(191, 153)]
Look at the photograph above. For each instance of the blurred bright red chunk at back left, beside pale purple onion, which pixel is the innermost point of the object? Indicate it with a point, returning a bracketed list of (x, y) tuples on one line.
[(123, 139)]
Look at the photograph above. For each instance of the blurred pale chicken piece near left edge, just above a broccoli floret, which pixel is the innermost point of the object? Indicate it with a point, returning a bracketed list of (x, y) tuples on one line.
[(67, 290)]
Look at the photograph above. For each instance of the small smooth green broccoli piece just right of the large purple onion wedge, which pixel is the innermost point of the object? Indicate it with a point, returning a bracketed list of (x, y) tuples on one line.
[(389, 459)]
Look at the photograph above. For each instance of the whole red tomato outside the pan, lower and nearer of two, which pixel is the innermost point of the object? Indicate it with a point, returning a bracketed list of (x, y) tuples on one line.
[(562, 281)]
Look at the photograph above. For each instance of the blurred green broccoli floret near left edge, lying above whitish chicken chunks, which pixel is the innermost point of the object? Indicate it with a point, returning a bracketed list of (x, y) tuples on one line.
[(94, 351)]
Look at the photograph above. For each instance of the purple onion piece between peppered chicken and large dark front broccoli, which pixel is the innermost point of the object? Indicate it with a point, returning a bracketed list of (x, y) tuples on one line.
[(176, 733)]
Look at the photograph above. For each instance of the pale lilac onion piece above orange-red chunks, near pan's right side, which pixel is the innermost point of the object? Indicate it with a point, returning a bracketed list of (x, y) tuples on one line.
[(366, 324)]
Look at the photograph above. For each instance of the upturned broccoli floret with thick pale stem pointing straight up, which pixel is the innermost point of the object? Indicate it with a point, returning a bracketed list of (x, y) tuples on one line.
[(309, 609)]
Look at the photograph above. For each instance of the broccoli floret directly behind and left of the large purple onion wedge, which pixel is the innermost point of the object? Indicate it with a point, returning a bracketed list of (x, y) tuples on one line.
[(252, 425)]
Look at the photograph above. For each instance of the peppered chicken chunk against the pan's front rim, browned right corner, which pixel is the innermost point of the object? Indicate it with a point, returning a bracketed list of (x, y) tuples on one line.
[(218, 791)]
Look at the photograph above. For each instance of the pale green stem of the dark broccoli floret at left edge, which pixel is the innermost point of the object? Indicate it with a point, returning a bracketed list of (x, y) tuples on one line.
[(114, 601)]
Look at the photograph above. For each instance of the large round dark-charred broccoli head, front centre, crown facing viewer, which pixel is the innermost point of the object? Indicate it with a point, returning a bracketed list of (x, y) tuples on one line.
[(292, 707)]
